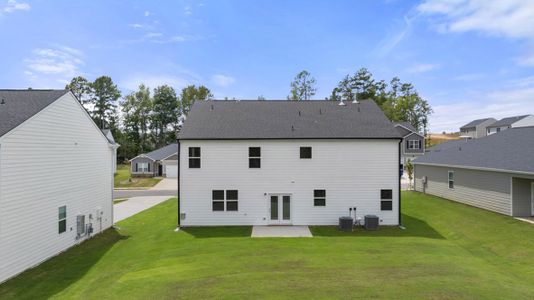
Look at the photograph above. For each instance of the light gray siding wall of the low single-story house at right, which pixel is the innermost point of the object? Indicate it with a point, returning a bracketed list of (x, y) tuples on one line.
[(487, 190)]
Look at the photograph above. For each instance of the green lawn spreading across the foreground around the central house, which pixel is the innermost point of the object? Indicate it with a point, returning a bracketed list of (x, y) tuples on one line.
[(448, 251)]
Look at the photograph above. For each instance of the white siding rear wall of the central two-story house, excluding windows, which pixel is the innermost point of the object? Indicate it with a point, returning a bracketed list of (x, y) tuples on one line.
[(351, 171)]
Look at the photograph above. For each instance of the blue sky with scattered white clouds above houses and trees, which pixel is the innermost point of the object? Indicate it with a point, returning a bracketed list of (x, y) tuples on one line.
[(469, 58)]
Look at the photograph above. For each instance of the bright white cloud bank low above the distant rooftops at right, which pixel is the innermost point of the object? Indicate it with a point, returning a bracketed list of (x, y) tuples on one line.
[(497, 104)]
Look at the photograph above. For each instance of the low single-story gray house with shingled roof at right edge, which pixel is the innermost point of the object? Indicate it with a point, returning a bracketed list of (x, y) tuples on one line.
[(495, 173)]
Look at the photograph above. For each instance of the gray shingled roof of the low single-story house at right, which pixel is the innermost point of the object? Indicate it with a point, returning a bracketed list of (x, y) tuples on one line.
[(509, 150)]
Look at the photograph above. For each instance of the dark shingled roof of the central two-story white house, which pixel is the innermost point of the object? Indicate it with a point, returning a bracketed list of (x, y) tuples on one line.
[(250, 119)]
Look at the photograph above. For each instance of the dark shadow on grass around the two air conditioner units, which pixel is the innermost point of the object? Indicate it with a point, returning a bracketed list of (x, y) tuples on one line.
[(414, 228)]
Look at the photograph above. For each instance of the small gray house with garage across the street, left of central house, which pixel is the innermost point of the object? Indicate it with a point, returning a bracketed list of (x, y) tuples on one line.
[(161, 162)]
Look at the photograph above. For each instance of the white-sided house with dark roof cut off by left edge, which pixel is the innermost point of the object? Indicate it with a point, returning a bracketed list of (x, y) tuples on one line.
[(56, 177)]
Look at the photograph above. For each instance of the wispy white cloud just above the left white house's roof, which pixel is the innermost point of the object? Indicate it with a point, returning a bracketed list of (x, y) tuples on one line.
[(58, 64)]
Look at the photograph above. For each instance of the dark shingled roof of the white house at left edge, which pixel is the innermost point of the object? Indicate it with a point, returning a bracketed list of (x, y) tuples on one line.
[(20, 105)]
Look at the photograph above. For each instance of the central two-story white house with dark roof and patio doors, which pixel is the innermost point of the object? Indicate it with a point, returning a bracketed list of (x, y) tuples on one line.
[(287, 162)]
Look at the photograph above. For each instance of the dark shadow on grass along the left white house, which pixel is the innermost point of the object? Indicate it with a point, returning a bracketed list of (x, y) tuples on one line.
[(59, 272)]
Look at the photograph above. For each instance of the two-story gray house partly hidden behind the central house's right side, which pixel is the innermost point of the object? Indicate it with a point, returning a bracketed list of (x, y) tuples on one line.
[(413, 143)]
